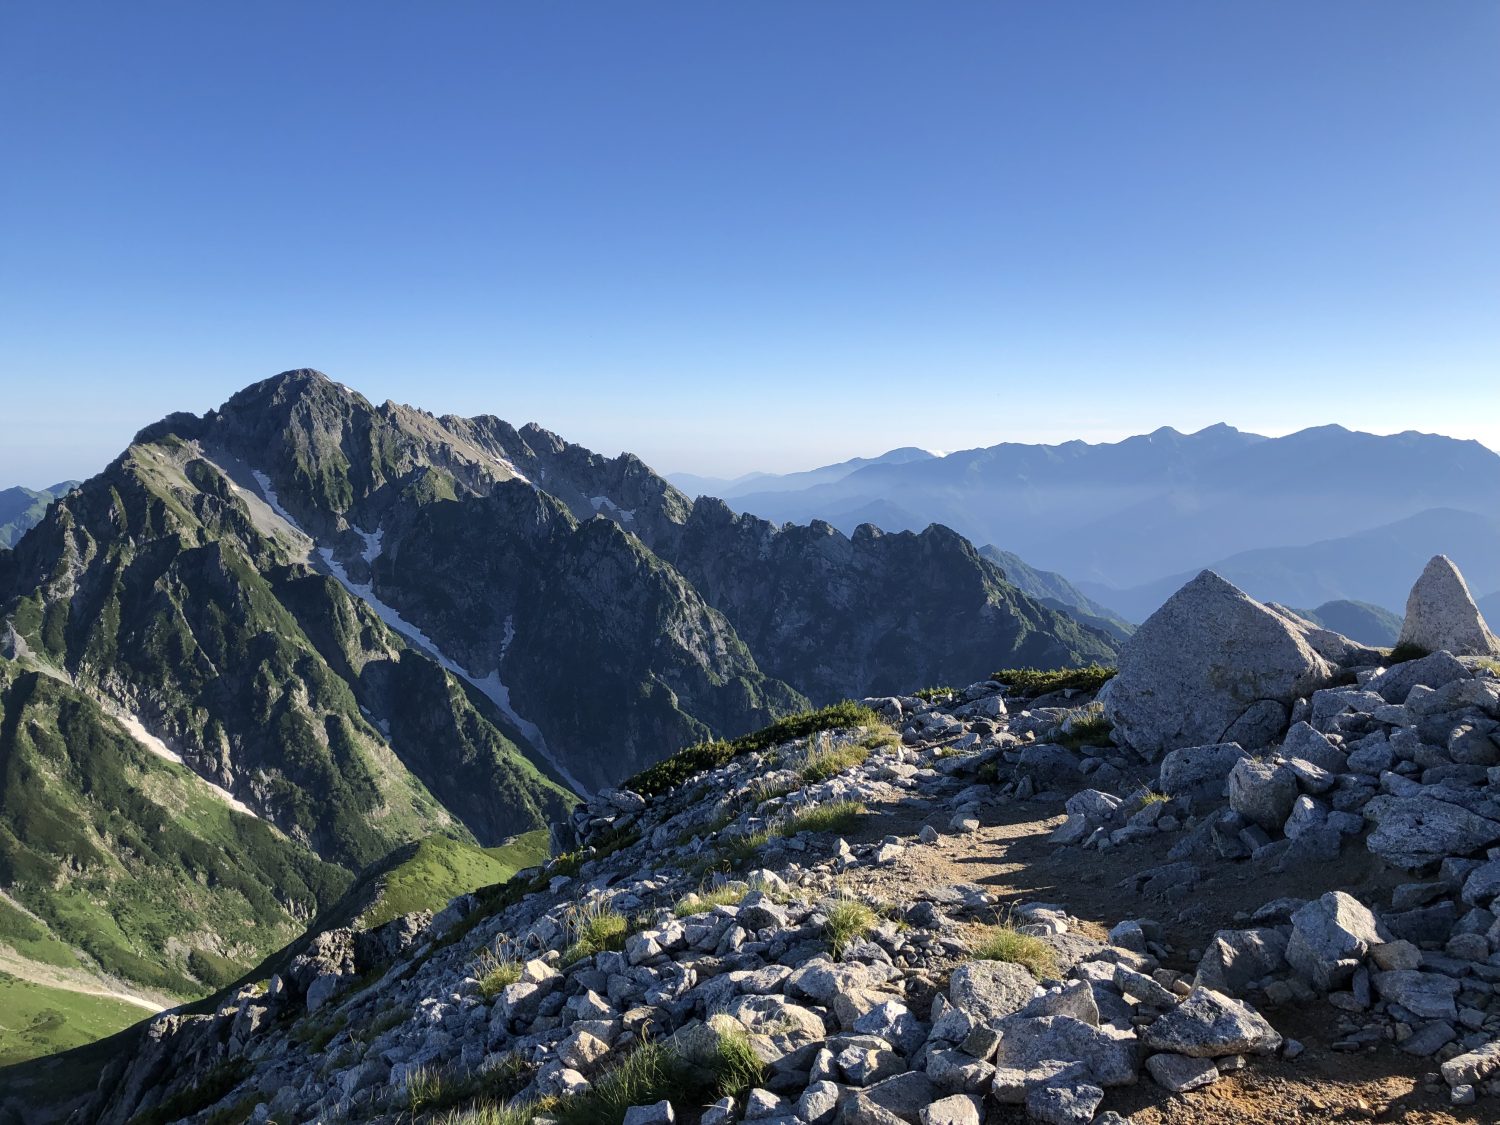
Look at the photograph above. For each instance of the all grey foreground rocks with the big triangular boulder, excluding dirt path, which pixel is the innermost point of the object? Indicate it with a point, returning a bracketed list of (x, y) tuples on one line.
[(899, 1021)]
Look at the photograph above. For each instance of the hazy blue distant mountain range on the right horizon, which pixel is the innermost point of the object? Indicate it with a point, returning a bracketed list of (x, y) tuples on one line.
[(1321, 515)]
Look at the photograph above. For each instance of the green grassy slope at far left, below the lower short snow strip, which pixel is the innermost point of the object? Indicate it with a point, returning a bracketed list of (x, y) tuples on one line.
[(119, 862)]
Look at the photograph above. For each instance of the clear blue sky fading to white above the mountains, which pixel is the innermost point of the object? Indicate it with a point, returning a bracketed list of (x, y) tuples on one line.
[(736, 236)]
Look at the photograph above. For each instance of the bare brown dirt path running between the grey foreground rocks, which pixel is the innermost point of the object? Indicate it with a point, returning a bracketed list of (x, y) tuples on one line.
[(1012, 859)]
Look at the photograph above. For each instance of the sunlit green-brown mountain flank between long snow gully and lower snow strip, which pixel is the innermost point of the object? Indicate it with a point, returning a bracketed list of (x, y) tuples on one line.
[(155, 589)]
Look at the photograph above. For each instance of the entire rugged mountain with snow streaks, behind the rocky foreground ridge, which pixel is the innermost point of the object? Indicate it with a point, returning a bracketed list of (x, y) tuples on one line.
[(364, 626)]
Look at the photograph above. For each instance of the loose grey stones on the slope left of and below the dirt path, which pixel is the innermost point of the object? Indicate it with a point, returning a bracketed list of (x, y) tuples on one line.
[(902, 1025)]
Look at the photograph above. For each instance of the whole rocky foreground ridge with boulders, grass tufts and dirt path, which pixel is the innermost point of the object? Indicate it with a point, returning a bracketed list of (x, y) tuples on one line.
[(1247, 878)]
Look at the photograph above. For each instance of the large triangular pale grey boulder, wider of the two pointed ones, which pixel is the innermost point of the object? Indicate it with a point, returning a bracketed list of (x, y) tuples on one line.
[(1213, 665)]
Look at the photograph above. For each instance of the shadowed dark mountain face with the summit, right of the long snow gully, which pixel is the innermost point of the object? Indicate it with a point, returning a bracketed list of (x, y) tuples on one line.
[(458, 526)]
